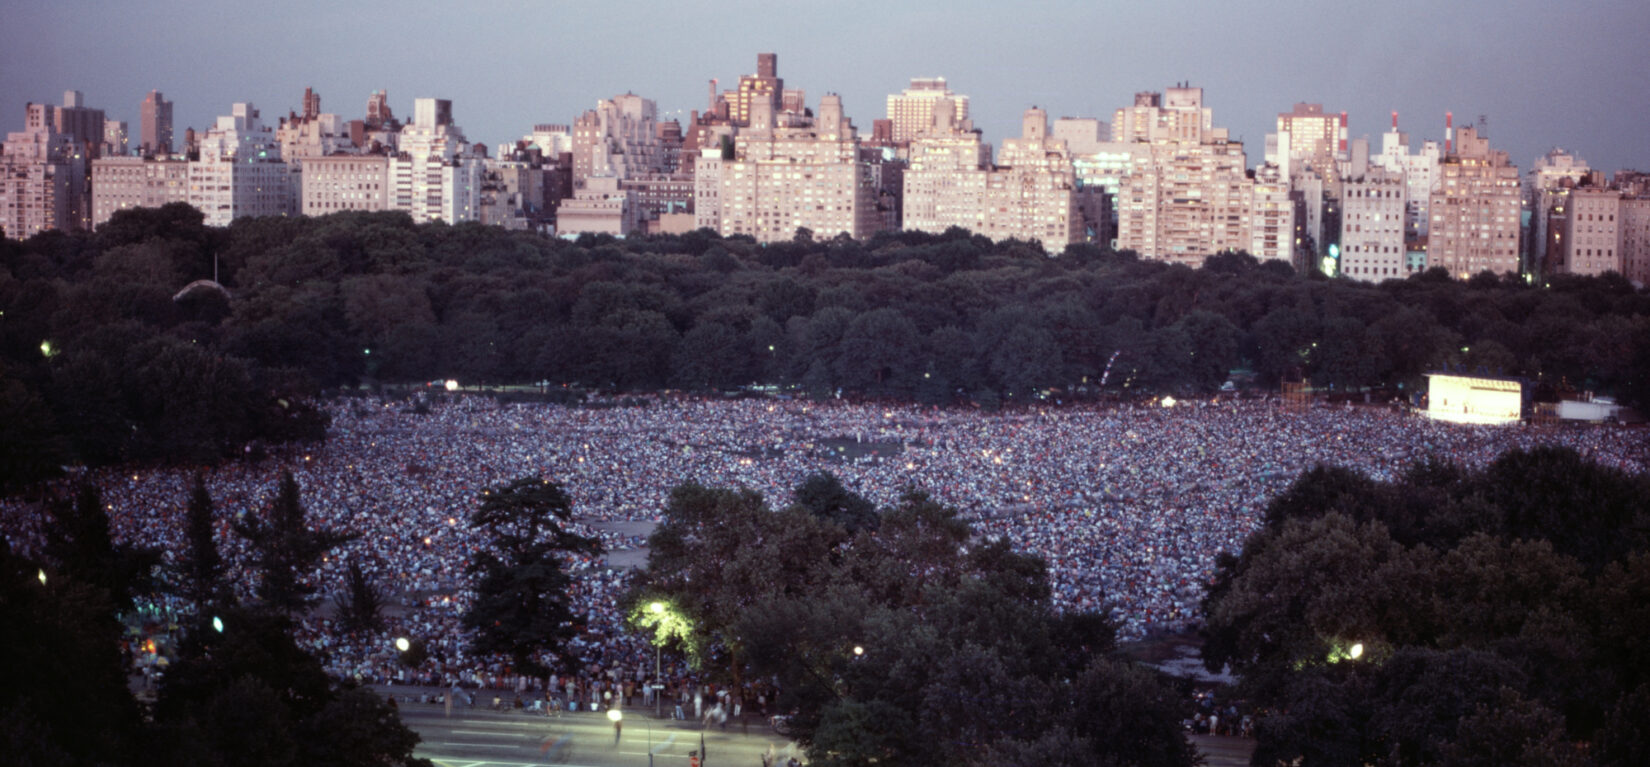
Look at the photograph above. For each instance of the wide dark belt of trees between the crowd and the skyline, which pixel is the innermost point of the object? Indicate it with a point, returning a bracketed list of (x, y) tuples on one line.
[(105, 357)]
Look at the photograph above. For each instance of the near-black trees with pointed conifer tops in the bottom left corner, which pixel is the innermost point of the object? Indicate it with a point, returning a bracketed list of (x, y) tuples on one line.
[(238, 690)]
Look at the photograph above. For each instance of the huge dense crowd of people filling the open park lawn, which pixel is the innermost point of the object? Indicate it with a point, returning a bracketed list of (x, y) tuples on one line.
[(1128, 504)]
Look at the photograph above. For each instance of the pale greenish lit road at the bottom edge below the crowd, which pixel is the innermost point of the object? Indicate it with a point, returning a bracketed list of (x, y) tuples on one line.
[(479, 738)]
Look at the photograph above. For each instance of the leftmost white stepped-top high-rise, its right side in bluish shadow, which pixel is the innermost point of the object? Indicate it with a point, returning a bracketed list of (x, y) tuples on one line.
[(240, 172)]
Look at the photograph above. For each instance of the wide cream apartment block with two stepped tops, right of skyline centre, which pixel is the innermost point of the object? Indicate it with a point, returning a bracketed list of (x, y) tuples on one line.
[(1029, 195)]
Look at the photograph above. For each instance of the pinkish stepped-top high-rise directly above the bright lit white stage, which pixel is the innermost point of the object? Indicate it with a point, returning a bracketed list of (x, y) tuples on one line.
[(1476, 212)]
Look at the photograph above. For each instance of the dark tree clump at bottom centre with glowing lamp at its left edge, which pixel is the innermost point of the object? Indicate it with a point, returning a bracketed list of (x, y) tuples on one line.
[(895, 638)]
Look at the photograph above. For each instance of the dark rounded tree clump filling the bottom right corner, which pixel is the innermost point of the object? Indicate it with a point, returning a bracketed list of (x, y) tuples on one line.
[(1448, 618)]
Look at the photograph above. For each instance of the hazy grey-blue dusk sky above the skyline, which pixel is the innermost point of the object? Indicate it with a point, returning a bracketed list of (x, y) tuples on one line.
[(1572, 75)]
